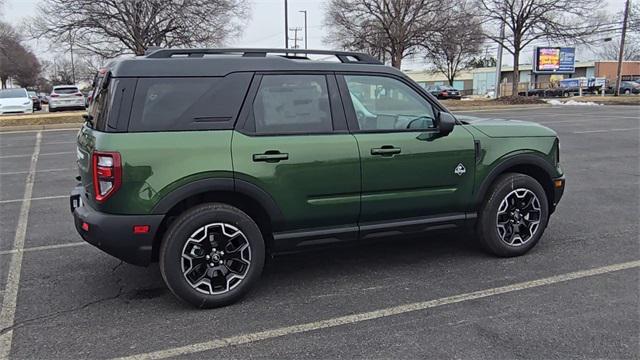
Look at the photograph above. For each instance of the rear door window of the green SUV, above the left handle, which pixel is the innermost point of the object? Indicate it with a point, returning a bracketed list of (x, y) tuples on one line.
[(292, 104)]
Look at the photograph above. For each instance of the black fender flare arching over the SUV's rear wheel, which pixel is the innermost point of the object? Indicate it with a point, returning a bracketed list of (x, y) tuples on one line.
[(224, 185)]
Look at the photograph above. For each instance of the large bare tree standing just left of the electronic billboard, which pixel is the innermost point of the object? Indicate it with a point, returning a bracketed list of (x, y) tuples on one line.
[(529, 20)]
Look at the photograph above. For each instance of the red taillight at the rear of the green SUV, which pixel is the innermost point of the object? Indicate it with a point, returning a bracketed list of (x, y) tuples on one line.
[(107, 174)]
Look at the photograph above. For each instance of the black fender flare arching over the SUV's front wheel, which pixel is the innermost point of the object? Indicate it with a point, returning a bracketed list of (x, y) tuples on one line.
[(529, 164)]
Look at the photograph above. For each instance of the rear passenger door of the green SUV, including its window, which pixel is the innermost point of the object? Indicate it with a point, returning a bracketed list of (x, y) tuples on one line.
[(292, 142)]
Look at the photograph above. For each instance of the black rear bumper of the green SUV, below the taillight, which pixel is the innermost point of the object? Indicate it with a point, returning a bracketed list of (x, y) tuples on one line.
[(113, 234)]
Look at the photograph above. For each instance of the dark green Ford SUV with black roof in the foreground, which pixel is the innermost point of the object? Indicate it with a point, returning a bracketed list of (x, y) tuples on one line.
[(209, 159)]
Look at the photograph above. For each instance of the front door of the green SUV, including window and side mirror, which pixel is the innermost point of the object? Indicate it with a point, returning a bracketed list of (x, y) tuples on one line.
[(408, 168)]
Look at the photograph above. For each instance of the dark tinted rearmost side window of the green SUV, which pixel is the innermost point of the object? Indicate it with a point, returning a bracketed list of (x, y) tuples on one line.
[(176, 104)]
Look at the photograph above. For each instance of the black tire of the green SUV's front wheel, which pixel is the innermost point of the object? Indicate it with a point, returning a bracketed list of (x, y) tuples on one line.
[(487, 226)]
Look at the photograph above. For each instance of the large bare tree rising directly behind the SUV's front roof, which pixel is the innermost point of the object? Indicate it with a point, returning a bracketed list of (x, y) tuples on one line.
[(383, 27)]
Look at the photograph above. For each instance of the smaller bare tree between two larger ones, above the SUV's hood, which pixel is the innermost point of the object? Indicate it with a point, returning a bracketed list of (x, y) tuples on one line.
[(452, 48)]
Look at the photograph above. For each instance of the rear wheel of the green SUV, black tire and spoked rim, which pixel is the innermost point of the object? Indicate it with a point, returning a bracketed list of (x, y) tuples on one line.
[(212, 255)]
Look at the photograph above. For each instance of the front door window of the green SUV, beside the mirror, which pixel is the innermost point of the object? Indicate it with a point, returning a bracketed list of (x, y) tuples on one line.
[(383, 103)]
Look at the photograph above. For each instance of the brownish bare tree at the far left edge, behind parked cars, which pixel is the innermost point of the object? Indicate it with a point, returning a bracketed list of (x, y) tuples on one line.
[(16, 61)]
